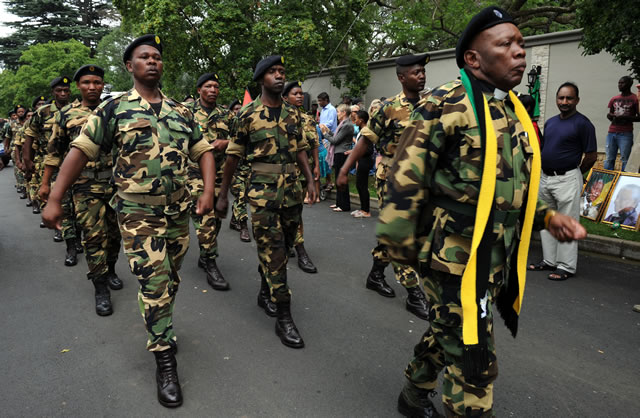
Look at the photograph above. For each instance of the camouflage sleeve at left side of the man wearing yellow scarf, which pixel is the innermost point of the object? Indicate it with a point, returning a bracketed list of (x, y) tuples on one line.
[(409, 182)]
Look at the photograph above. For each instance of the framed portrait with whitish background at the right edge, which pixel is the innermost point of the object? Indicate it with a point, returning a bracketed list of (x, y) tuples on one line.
[(624, 204)]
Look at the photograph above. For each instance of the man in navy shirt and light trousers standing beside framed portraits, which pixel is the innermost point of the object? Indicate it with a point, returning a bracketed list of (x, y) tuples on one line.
[(567, 138)]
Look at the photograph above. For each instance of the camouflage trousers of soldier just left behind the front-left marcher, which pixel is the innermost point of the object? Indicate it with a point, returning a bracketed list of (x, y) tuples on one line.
[(99, 225)]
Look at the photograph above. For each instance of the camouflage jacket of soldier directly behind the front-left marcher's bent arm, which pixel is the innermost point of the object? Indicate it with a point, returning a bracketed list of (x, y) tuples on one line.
[(67, 126)]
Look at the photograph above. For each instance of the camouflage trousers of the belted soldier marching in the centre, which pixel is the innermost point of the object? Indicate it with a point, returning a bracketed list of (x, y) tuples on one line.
[(274, 231)]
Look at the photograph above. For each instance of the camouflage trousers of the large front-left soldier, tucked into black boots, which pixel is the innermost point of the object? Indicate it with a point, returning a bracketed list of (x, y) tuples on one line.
[(155, 240)]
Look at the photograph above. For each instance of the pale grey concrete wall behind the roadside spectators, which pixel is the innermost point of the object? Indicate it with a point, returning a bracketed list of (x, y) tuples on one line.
[(558, 53)]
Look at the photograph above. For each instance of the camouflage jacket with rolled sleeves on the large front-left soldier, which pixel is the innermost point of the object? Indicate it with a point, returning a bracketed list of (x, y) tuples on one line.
[(149, 151)]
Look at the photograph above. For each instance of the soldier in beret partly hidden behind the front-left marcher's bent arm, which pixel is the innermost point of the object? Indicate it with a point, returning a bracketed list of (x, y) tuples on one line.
[(92, 191)]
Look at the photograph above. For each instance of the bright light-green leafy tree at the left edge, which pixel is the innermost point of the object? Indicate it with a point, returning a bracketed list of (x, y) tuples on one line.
[(39, 64)]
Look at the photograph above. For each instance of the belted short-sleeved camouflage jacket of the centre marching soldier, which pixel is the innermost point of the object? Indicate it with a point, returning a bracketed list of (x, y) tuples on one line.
[(262, 139)]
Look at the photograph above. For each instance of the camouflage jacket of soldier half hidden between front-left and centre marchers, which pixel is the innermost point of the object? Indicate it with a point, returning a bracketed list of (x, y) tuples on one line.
[(215, 125)]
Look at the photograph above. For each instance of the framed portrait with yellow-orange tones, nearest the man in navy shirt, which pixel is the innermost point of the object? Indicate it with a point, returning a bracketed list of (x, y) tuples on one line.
[(595, 193)]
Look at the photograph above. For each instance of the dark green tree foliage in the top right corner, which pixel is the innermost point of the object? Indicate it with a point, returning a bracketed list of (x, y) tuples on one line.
[(612, 29)]
